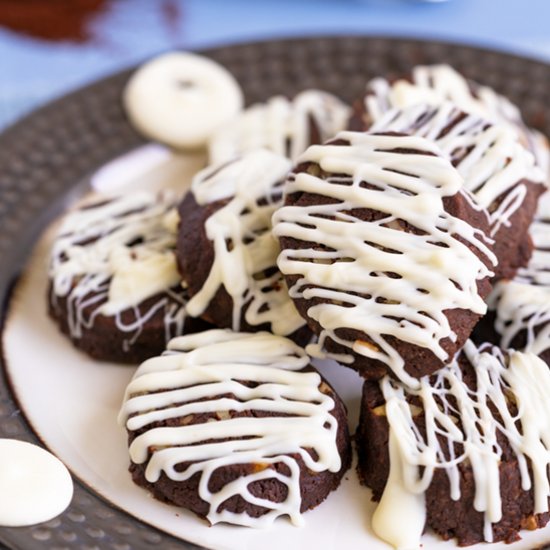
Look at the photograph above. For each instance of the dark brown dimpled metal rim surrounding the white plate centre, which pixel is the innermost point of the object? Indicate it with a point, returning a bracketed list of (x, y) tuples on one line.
[(46, 157)]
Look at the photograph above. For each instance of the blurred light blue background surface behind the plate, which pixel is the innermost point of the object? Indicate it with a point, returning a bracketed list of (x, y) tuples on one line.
[(34, 71)]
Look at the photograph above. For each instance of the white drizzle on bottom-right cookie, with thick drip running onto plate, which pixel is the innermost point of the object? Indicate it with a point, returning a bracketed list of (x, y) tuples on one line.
[(462, 424)]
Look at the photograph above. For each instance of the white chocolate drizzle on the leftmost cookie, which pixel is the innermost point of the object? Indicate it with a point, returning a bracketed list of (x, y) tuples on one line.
[(115, 255)]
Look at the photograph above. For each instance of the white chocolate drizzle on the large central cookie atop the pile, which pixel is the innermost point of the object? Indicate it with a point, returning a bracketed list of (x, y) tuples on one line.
[(375, 277)]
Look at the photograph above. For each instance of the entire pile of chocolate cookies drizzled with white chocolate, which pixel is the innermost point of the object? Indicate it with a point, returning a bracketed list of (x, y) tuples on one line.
[(407, 239)]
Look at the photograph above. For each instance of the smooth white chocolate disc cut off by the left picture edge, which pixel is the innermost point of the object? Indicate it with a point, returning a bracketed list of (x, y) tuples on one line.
[(35, 486)]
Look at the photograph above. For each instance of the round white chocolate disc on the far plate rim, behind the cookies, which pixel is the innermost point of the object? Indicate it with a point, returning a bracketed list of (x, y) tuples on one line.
[(181, 98)]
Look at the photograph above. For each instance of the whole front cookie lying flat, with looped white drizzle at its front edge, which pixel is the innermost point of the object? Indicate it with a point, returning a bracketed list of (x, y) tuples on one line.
[(236, 427)]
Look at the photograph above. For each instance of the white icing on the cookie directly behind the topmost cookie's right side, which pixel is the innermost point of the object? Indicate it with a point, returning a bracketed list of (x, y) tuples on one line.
[(488, 156)]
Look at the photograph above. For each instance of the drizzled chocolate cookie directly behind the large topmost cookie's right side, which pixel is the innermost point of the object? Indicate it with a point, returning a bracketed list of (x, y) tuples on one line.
[(496, 168)]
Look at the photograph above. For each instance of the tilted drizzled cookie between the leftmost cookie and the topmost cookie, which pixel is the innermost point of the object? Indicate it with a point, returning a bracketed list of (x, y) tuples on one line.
[(226, 251)]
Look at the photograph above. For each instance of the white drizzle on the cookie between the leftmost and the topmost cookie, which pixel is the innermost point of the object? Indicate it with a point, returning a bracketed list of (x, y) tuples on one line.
[(245, 251)]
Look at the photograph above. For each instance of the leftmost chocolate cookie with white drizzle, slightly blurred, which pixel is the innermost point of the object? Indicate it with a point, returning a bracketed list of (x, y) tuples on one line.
[(114, 286)]
